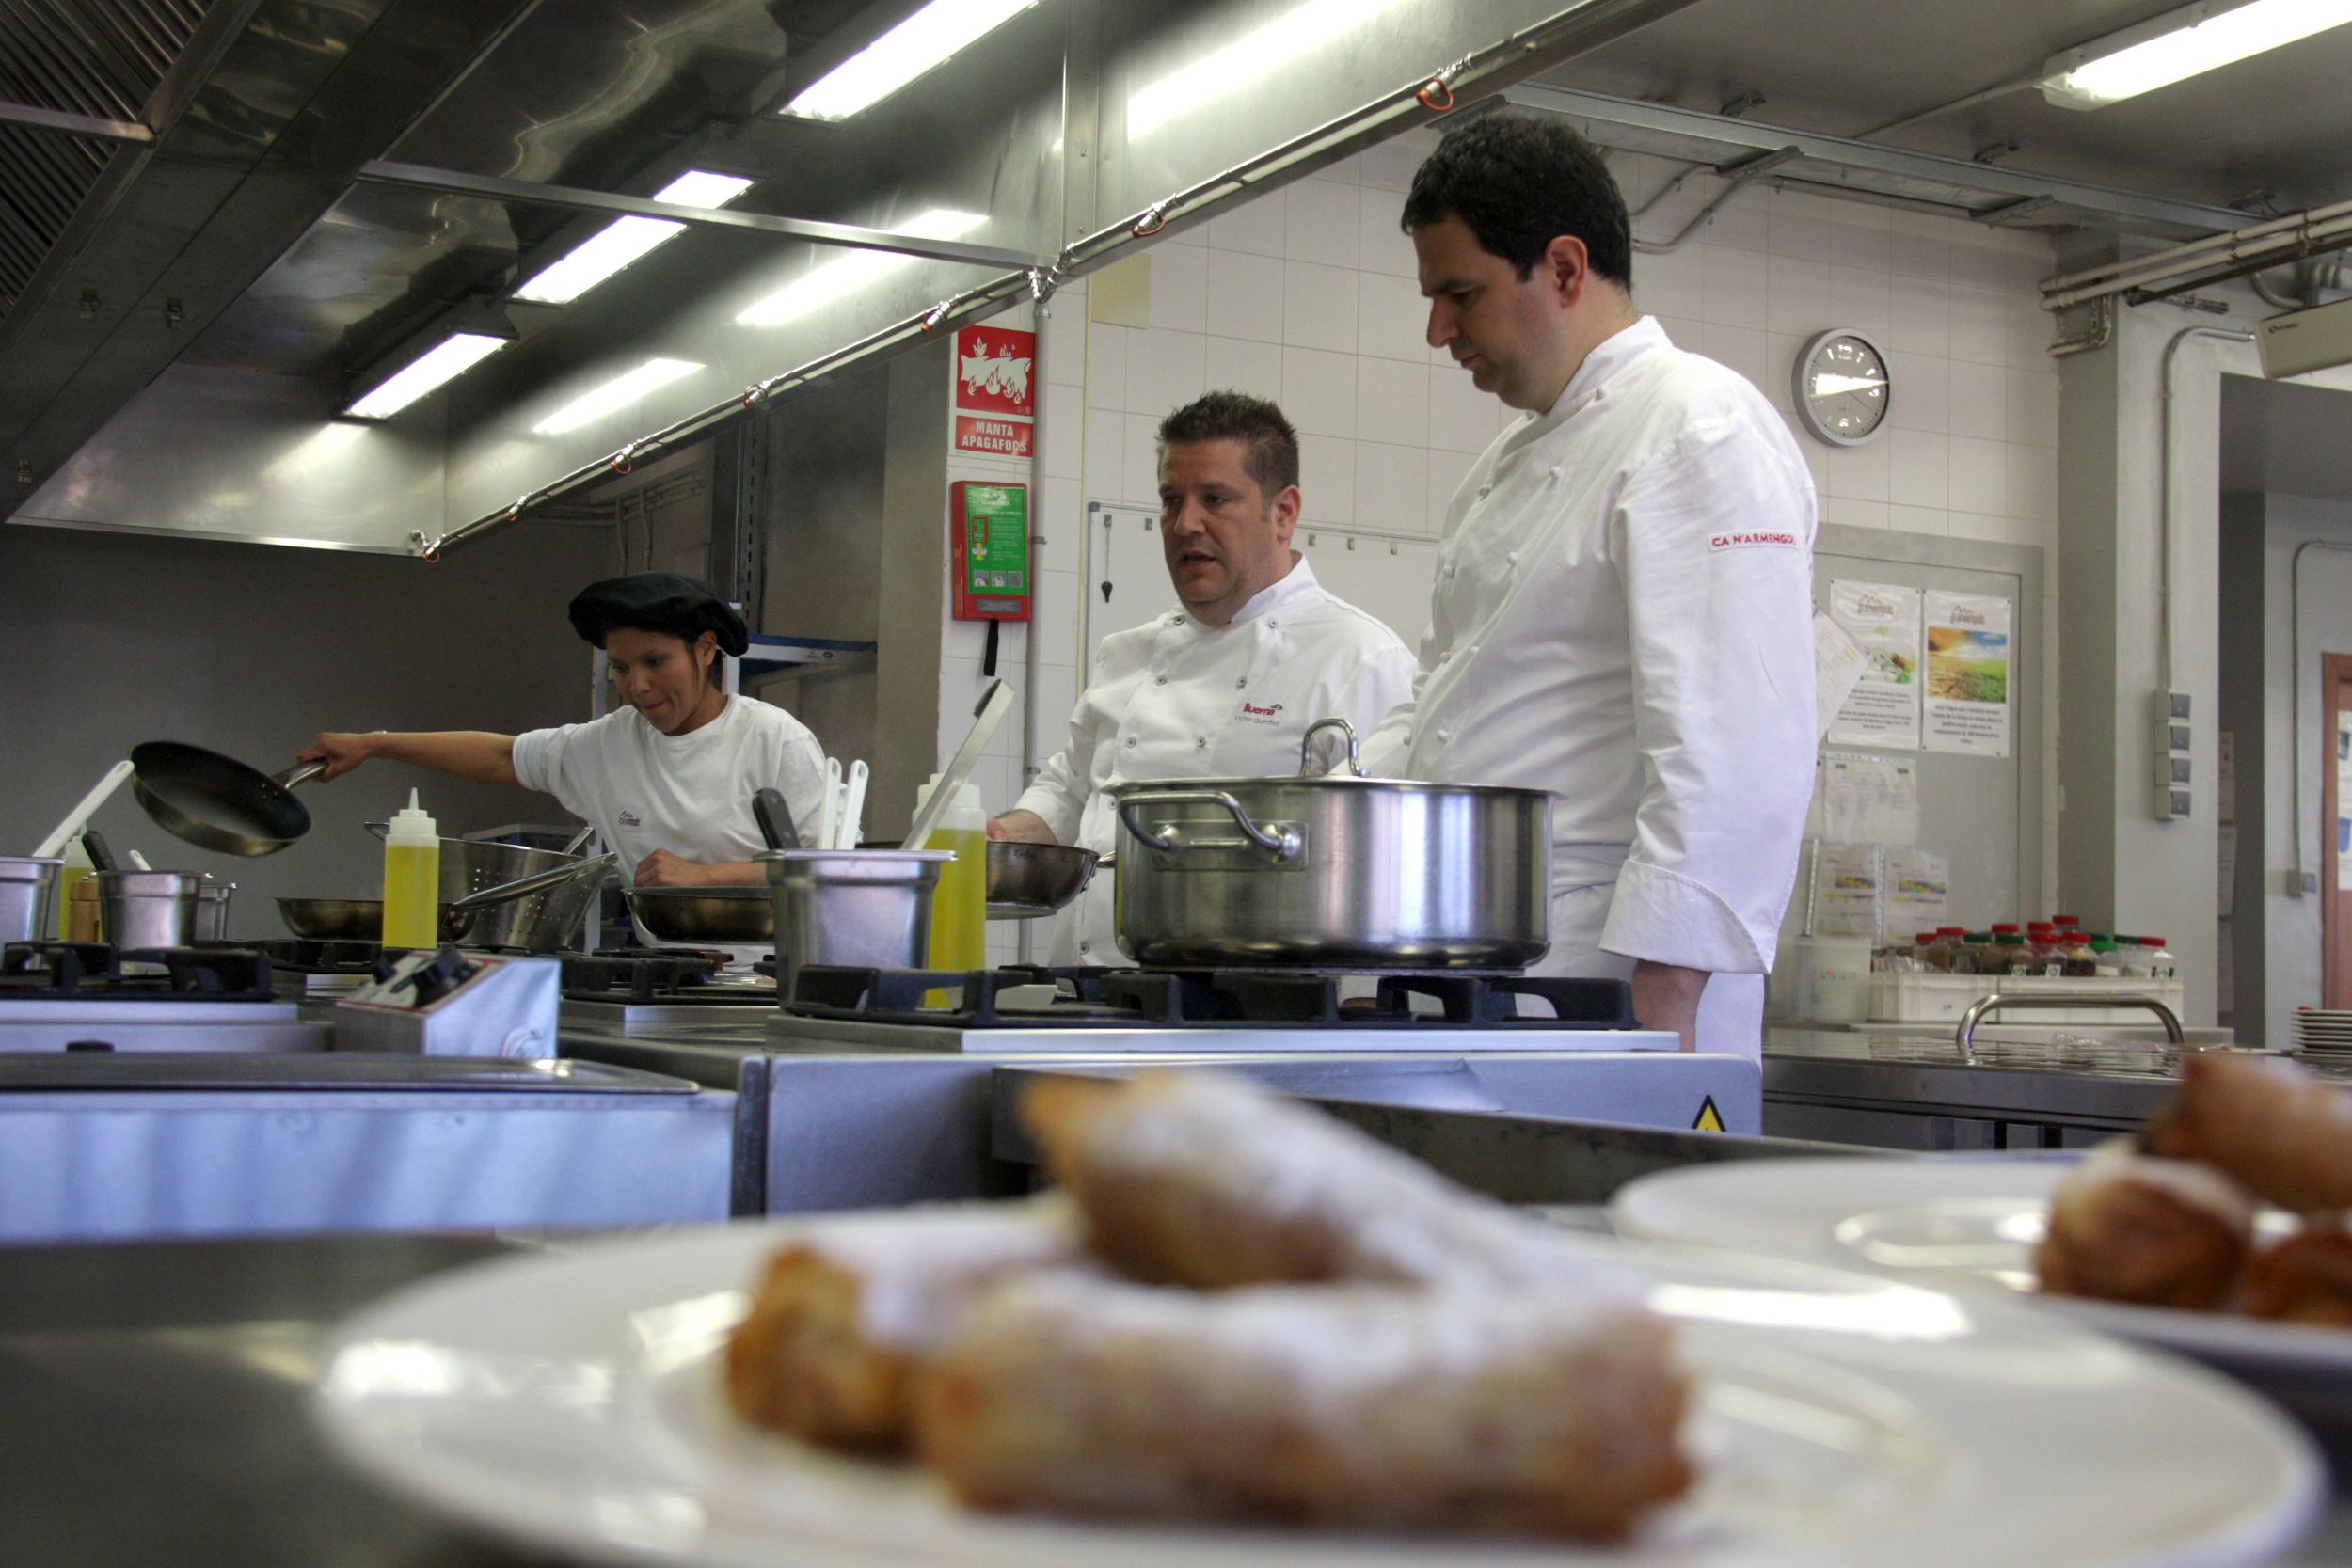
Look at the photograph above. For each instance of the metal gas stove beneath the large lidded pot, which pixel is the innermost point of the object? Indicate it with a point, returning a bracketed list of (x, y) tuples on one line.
[(878, 1087)]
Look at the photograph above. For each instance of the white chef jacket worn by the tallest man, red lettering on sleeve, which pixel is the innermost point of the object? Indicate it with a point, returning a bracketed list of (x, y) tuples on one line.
[(1624, 617)]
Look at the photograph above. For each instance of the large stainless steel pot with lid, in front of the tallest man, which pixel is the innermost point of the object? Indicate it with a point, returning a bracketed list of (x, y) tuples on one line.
[(1332, 871)]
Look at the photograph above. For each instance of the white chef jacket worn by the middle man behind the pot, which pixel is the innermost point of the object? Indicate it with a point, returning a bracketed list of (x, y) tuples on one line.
[(1187, 699)]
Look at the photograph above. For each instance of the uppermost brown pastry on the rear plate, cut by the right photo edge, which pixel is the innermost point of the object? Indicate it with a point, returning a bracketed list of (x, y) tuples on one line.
[(2266, 1123)]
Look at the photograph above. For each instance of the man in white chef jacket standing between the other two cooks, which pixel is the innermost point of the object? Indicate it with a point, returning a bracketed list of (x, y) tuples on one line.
[(1229, 683)]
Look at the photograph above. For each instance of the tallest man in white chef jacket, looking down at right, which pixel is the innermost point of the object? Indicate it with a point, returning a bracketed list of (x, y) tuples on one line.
[(1624, 594)]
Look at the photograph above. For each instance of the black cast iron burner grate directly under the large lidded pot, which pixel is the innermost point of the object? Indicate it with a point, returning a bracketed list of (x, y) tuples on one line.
[(1203, 998)]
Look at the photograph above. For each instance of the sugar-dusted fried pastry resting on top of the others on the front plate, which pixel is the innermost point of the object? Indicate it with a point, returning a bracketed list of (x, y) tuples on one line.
[(1212, 1184)]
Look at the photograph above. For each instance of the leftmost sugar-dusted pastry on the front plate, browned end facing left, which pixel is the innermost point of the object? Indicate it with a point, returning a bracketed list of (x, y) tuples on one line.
[(848, 1313)]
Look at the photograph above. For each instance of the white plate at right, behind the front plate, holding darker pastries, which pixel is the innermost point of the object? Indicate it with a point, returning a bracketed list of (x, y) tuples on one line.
[(1965, 1224)]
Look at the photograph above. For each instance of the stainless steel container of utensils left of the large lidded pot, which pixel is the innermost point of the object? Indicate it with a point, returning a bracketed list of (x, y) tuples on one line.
[(867, 909)]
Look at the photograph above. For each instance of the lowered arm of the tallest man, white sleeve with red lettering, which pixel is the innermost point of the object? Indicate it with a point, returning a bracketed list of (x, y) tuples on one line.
[(1713, 542)]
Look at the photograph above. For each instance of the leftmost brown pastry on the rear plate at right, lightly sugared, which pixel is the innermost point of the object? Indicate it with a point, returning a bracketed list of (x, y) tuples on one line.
[(2160, 1233)]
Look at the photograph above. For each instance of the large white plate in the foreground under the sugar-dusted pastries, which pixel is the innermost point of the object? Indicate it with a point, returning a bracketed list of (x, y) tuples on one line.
[(573, 1402)]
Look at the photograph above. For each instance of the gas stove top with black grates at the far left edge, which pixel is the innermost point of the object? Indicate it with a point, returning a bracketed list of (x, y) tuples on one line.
[(185, 1000)]
